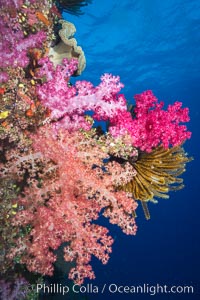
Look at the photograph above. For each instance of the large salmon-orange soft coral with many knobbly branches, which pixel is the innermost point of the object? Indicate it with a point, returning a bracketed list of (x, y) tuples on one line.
[(62, 208)]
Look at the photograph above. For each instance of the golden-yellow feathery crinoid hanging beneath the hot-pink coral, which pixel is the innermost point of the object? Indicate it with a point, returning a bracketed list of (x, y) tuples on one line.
[(157, 174)]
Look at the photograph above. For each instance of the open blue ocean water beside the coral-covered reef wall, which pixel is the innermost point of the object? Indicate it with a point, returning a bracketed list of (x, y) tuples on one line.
[(151, 45)]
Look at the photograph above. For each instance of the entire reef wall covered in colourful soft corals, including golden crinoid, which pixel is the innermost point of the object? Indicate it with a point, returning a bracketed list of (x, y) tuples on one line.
[(59, 171)]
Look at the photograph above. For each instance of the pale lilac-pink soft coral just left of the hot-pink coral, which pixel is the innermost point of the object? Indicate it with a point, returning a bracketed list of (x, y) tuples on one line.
[(70, 103)]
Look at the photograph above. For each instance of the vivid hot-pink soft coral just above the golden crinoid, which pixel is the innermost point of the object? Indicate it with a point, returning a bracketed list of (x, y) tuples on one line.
[(152, 125)]
